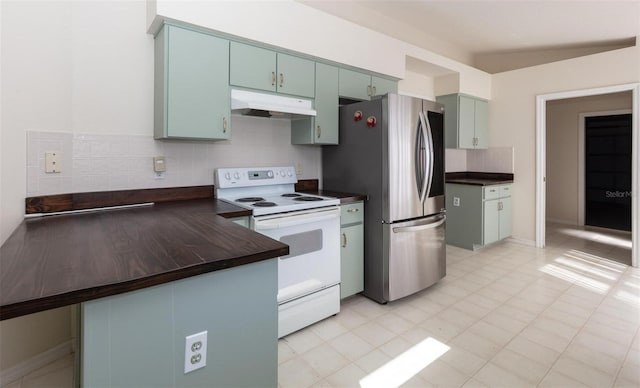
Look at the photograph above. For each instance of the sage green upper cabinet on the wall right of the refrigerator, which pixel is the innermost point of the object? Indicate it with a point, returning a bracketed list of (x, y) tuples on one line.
[(466, 121)]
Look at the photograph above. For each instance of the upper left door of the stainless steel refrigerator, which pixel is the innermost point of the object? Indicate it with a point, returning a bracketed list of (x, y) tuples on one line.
[(407, 158)]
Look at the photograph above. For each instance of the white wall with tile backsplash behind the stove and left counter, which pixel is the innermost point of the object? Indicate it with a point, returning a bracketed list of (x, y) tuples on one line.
[(78, 77)]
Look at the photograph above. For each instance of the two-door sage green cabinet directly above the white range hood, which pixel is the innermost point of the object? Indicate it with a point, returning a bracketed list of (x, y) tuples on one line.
[(258, 68)]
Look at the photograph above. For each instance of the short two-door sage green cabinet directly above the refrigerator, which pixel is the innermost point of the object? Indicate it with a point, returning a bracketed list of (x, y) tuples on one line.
[(362, 86)]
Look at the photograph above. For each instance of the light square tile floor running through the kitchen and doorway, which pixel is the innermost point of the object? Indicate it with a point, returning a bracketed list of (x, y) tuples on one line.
[(508, 315)]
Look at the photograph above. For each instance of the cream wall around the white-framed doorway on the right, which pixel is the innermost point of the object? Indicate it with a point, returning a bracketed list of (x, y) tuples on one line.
[(512, 115)]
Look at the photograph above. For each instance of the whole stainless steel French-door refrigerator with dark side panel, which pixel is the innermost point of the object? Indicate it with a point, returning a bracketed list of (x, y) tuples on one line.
[(392, 149)]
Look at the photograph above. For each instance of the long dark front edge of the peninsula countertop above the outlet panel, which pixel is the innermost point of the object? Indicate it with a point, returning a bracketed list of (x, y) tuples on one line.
[(18, 309)]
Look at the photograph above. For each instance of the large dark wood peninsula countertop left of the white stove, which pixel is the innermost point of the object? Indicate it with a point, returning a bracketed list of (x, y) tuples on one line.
[(60, 260)]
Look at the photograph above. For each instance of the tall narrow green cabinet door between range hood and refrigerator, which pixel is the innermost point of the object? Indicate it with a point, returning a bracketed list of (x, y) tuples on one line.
[(326, 122)]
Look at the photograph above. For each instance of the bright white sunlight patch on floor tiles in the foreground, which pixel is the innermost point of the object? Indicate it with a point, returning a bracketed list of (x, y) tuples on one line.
[(402, 368)]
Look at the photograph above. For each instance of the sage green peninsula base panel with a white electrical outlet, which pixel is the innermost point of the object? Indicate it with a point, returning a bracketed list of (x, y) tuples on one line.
[(137, 339)]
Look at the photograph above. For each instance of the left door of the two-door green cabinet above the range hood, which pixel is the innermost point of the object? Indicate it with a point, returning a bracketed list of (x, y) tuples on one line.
[(252, 67)]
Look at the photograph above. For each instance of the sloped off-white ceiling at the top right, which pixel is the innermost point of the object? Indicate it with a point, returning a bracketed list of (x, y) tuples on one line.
[(466, 30)]
